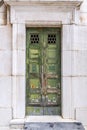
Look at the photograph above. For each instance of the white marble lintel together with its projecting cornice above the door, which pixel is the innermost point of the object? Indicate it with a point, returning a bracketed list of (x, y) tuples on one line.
[(50, 12)]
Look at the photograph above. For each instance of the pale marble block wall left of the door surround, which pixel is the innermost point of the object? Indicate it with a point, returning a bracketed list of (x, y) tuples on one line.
[(5, 76)]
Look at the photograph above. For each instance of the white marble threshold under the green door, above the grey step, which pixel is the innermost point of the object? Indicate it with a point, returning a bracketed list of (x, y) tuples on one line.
[(19, 123)]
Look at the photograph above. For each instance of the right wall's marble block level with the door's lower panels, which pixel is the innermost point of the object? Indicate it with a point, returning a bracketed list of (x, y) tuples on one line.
[(79, 85)]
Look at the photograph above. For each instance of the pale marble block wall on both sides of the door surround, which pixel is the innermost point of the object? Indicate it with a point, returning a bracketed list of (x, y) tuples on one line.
[(78, 79)]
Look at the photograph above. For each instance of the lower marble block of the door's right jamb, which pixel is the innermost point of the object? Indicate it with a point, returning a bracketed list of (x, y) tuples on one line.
[(66, 97)]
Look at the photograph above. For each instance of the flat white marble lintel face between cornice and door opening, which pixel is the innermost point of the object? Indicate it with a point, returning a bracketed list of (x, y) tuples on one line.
[(63, 15)]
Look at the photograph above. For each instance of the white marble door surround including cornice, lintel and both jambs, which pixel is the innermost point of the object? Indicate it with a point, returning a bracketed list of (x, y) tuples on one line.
[(41, 13)]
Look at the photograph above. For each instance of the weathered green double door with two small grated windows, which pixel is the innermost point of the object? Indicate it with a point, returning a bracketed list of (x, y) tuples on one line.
[(43, 71)]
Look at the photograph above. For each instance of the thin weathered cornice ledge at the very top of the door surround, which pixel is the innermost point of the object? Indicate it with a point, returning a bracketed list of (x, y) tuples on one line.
[(70, 3)]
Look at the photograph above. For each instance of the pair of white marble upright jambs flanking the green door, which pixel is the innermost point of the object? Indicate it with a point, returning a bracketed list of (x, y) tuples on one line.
[(19, 71)]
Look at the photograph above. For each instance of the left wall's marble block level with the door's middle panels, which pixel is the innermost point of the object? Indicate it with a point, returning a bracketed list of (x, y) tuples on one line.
[(5, 63)]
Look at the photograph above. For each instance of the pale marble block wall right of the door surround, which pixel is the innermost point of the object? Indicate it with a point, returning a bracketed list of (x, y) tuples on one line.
[(80, 69)]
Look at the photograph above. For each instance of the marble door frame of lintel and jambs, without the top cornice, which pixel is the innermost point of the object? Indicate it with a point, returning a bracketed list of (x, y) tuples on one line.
[(19, 25)]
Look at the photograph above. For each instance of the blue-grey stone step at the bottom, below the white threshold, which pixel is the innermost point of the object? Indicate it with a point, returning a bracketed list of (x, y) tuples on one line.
[(53, 126)]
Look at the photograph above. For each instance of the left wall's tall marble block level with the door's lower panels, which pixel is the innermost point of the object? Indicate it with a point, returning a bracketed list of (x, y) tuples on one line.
[(5, 91)]
